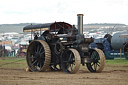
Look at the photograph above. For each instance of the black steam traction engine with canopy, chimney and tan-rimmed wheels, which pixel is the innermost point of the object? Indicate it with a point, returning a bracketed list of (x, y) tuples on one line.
[(60, 46)]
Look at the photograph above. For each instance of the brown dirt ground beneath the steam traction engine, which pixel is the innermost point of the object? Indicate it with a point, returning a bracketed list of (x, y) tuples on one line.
[(111, 75)]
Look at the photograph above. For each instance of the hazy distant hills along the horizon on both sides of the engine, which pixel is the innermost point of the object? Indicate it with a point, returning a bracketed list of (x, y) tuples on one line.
[(19, 27)]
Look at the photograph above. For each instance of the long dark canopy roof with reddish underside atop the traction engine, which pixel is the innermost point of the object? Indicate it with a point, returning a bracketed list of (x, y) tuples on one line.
[(52, 27)]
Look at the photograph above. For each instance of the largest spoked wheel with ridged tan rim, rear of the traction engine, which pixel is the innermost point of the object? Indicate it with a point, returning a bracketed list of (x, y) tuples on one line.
[(38, 56)]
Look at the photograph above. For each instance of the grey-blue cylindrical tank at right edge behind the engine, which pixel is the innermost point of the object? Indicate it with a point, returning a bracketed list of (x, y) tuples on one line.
[(118, 40)]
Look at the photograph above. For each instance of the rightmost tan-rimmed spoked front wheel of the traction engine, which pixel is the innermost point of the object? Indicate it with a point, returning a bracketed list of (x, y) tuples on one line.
[(97, 59)]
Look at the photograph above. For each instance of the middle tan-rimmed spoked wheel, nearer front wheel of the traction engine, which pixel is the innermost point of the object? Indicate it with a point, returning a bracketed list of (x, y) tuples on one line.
[(71, 61)]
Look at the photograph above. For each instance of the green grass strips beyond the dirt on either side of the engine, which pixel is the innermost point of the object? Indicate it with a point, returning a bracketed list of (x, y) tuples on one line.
[(13, 62)]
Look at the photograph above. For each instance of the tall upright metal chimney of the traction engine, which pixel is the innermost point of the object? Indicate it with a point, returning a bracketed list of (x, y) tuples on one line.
[(80, 23)]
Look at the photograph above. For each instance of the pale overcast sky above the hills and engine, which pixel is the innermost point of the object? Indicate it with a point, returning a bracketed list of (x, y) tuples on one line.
[(46, 11)]
